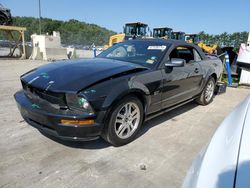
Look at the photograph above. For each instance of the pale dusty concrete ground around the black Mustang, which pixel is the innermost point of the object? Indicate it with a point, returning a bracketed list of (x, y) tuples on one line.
[(165, 146)]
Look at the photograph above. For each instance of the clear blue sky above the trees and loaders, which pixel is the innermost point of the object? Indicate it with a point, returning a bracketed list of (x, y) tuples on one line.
[(192, 16)]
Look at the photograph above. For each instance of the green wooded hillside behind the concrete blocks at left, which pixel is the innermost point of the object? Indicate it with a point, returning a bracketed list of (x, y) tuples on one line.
[(72, 31)]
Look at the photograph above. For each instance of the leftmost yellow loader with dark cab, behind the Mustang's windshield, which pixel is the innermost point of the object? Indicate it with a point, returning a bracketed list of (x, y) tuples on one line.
[(130, 31)]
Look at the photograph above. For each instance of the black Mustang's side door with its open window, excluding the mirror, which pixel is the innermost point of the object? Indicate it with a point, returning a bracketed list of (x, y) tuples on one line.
[(181, 83)]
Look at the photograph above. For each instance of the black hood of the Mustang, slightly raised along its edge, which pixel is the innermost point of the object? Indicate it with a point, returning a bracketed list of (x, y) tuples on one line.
[(75, 75)]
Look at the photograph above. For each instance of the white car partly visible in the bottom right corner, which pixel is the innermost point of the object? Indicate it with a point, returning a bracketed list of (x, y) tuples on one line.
[(225, 162)]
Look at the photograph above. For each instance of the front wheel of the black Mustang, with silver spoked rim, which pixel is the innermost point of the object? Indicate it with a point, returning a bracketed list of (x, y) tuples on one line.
[(122, 125)]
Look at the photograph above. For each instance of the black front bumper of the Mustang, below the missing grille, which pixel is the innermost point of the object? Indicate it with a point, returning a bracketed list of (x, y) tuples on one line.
[(48, 120)]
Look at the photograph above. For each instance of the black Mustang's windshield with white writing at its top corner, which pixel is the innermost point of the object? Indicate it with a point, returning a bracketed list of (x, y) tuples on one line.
[(145, 53)]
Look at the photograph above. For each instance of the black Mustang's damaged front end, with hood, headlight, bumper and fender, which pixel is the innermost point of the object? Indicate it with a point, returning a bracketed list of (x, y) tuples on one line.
[(69, 99)]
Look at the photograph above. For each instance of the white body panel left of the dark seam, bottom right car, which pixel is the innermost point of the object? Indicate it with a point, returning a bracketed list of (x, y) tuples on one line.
[(216, 165)]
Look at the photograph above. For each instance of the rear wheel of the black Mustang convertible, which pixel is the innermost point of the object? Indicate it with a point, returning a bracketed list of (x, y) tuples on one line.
[(207, 94)]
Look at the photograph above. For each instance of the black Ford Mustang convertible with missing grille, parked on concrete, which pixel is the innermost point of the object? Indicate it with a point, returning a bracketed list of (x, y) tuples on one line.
[(111, 95)]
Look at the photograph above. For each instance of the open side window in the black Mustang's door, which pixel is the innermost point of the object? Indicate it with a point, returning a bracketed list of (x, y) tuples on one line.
[(183, 53)]
